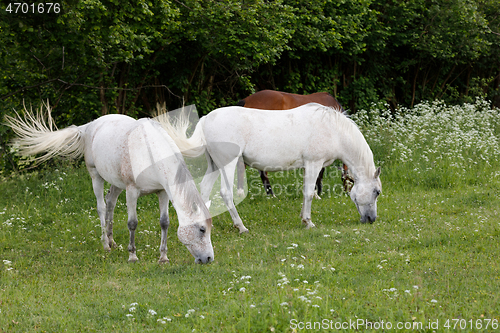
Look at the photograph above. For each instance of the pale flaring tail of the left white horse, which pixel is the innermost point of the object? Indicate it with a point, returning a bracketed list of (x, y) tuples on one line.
[(39, 135)]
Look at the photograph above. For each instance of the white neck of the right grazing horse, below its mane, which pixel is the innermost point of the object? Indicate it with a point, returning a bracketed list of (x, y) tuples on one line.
[(355, 152)]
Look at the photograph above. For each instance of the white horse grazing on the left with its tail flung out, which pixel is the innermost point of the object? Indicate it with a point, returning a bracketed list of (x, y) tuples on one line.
[(135, 155)]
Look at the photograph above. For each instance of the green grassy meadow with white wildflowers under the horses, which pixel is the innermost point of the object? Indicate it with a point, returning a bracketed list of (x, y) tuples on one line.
[(428, 264)]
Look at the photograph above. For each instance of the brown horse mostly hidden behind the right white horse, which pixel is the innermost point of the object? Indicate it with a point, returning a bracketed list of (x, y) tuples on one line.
[(277, 100)]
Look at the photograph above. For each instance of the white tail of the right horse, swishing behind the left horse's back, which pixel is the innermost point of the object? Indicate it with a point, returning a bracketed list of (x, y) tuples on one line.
[(190, 147)]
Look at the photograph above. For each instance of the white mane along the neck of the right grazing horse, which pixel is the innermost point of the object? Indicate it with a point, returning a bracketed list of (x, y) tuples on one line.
[(347, 127)]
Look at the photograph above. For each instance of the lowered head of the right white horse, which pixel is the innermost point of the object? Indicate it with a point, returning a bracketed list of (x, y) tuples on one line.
[(364, 194)]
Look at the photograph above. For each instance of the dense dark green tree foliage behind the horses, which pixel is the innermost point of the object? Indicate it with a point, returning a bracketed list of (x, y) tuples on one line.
[(96, 57)]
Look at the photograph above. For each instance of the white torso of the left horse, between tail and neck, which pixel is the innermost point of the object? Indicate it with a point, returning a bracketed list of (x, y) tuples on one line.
[(121, 149)]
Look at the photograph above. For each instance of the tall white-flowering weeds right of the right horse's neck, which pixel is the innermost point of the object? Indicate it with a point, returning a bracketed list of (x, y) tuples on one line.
[(433, 144)]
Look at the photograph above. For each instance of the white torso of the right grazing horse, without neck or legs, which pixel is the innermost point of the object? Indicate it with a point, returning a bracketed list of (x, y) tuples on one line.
[(269, 139)]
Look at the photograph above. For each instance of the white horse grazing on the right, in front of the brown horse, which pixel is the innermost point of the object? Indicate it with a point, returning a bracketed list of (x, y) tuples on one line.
[(311, 136)]
